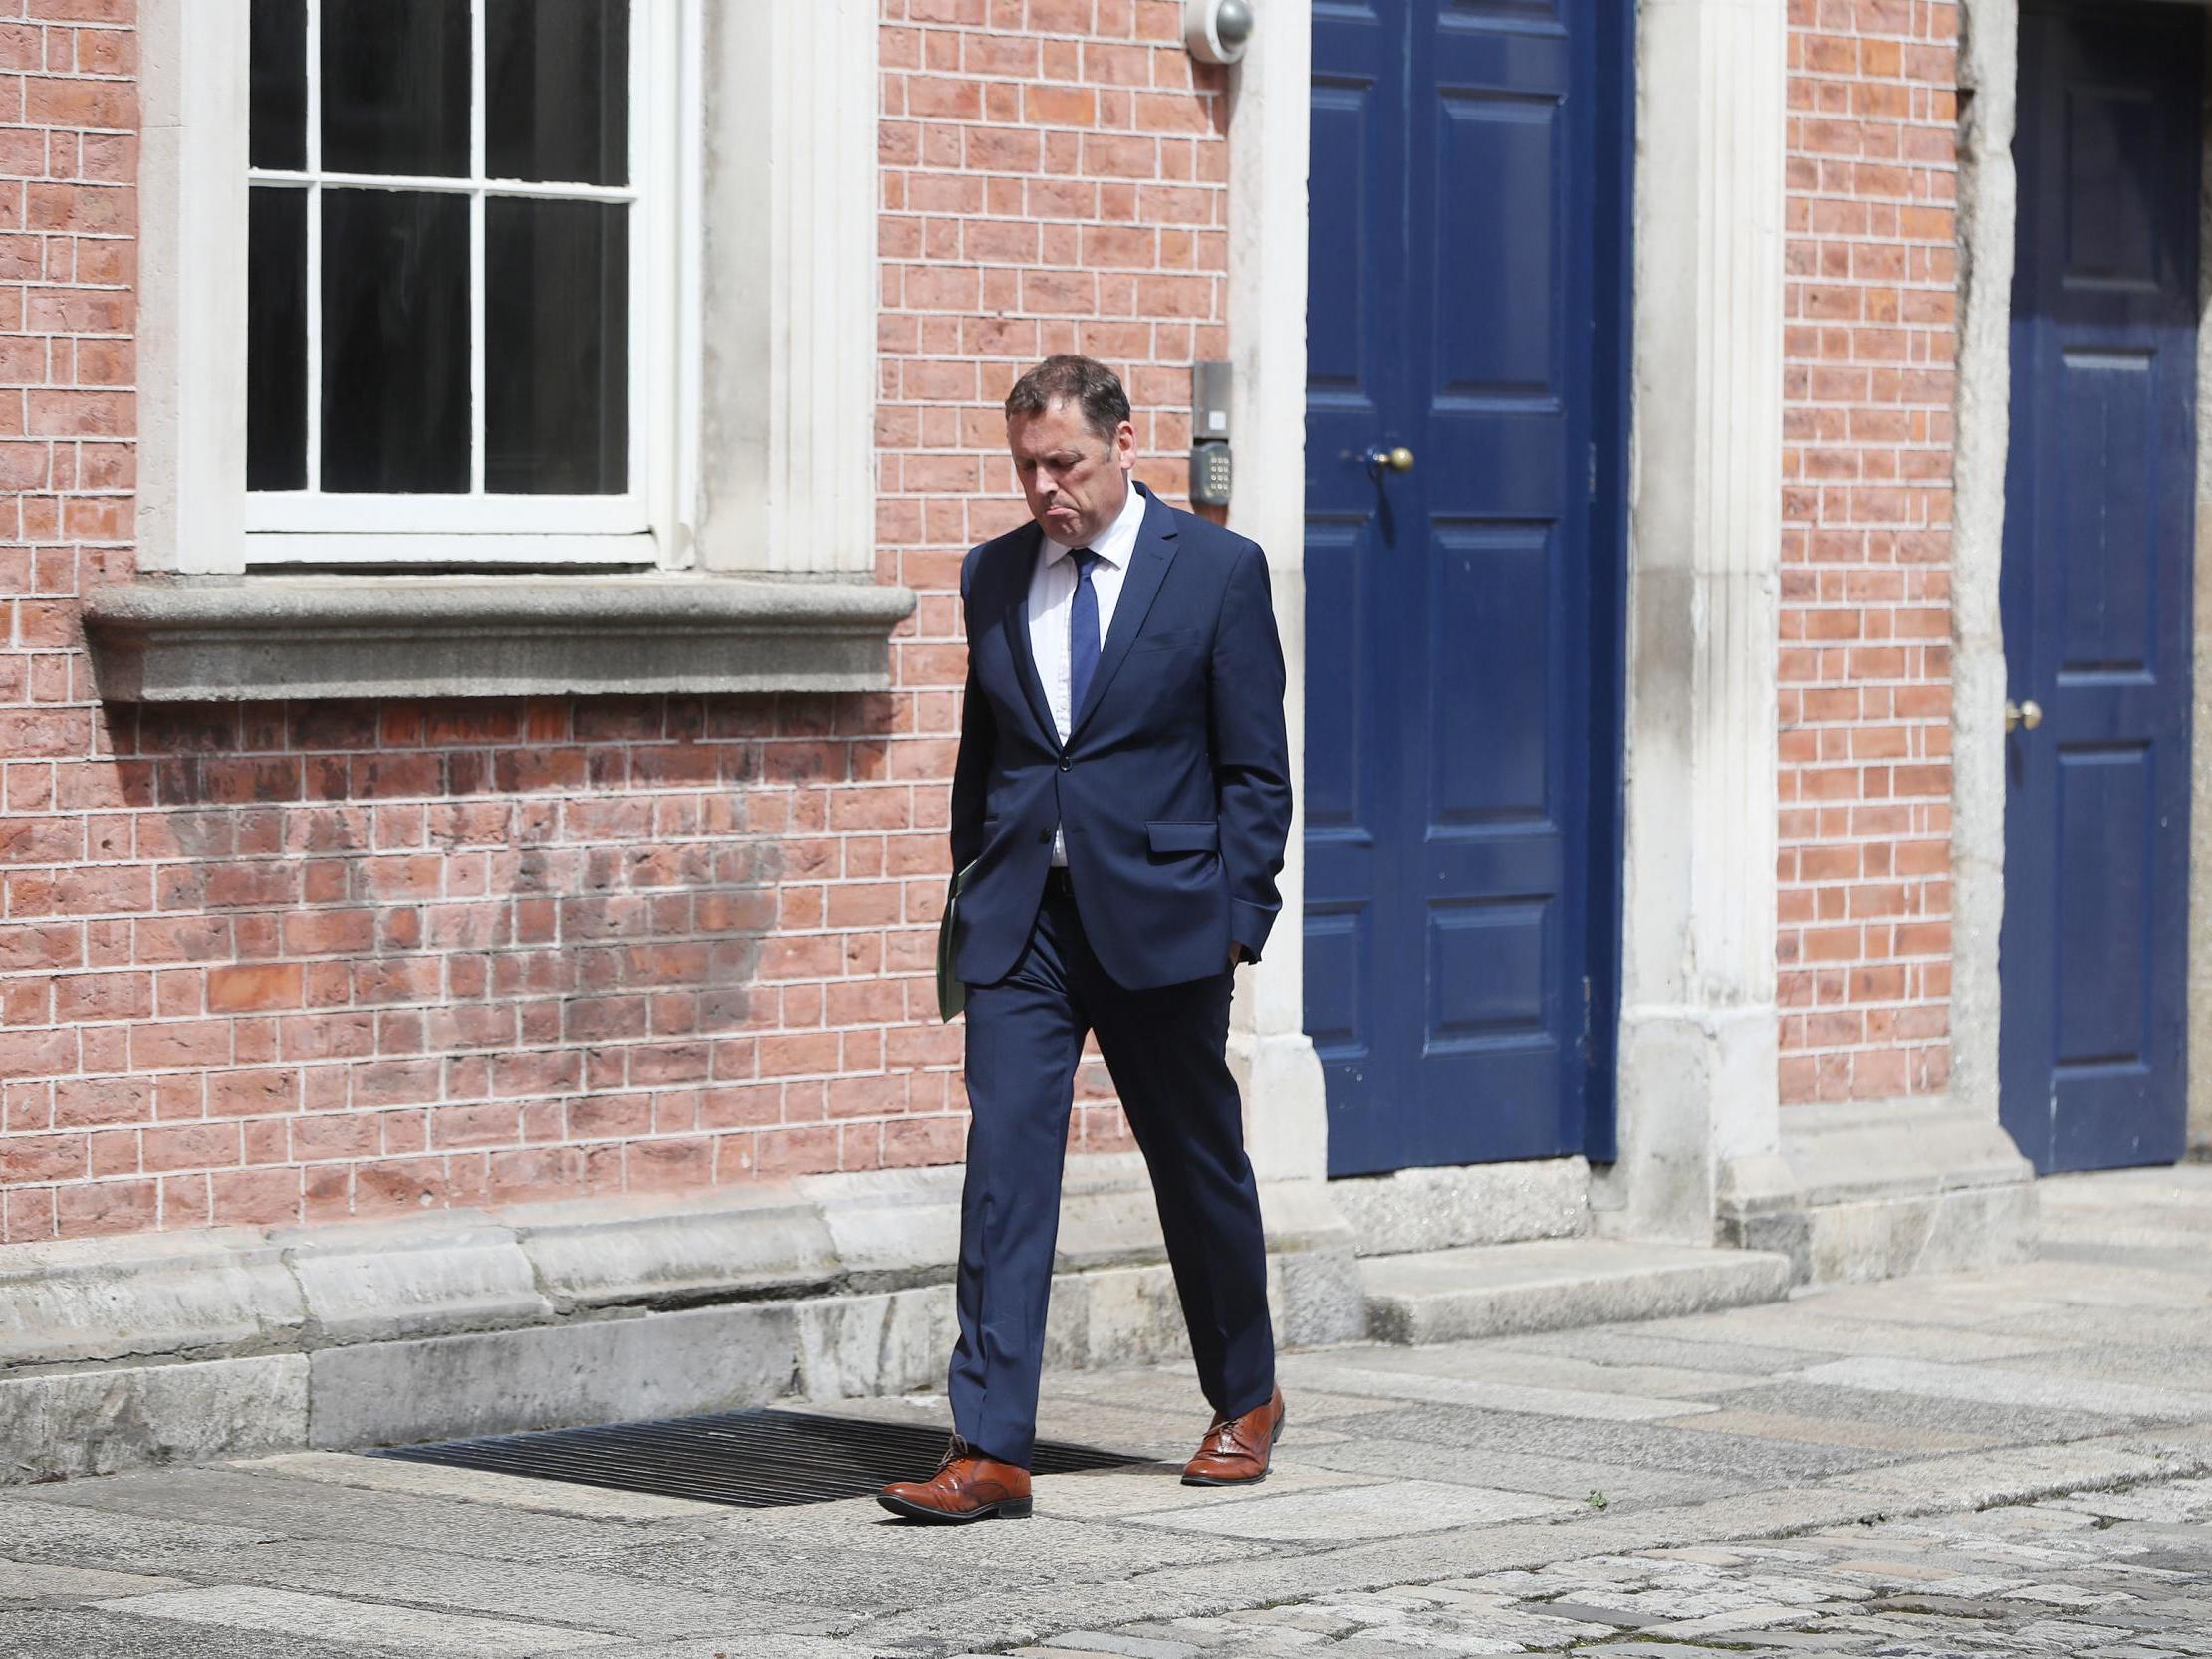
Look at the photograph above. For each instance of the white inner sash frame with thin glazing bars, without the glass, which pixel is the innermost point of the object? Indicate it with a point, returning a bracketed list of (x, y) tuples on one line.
[(313, 528)]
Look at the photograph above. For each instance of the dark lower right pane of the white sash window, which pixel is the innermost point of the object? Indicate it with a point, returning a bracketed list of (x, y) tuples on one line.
[(556, 348)]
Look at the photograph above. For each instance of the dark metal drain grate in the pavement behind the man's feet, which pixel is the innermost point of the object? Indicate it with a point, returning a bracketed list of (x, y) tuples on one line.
[(742, 1459)]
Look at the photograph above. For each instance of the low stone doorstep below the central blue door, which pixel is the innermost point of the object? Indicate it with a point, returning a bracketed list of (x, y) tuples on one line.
[(1558, 1284)]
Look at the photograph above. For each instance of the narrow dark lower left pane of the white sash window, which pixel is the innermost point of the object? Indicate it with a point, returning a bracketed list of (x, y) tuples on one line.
[(278, 340)]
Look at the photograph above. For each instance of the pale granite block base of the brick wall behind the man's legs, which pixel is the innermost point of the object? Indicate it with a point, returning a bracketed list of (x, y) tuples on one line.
[(227, 1344)]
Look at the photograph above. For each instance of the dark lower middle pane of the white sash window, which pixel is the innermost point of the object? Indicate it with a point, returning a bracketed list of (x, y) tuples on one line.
[(395, 342)]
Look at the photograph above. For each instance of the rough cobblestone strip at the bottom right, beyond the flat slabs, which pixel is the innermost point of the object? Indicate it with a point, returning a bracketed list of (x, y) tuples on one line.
[(2109, 1576)]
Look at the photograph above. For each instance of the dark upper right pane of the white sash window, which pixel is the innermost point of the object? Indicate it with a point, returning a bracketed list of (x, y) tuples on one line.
[(559, 90)]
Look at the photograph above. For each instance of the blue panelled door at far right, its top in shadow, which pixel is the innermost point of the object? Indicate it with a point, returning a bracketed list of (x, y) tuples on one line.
[(2098, 601)]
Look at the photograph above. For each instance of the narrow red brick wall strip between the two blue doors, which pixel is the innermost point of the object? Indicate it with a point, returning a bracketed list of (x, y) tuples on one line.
[(1866, 665)]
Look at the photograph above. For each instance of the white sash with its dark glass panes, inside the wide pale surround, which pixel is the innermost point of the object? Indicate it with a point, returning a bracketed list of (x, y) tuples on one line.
[(461, 280)]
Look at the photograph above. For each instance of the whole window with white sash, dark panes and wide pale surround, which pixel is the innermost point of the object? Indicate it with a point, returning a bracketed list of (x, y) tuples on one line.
[(508, 286)]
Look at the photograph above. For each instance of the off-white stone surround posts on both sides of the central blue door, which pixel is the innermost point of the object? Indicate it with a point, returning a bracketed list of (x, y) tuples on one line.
[(1698, 1087)]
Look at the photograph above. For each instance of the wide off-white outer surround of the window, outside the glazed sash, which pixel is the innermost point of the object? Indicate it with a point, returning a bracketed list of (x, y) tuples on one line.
[(762, 439)]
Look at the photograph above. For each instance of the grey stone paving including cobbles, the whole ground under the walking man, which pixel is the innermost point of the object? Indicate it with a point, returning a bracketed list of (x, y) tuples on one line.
[(1996, 1463)]
